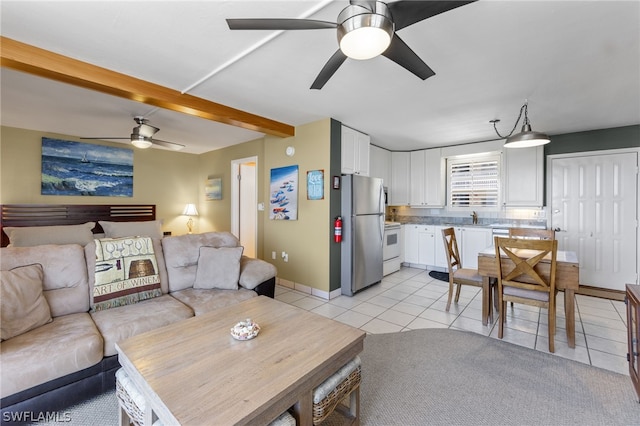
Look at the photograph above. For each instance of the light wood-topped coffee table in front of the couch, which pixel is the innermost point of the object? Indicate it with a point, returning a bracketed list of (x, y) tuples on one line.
[(194, 373)]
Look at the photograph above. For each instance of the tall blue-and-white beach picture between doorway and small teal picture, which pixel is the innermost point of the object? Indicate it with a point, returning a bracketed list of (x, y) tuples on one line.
[(283, 200)]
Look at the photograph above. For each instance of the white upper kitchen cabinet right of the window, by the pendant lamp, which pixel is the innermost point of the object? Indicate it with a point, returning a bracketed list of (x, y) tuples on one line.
[(524, 177)]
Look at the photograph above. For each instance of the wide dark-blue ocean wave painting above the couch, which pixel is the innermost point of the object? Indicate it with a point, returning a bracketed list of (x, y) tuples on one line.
[(76, 168)]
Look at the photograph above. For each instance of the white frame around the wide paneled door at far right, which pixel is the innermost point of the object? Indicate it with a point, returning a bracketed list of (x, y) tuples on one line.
[(549, 188)]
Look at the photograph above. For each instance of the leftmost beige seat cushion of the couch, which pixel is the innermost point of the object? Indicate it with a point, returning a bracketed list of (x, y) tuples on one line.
[(28, 360)]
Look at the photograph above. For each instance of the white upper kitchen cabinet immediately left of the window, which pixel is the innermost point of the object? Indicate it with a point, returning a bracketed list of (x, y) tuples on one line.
[(427, 187)]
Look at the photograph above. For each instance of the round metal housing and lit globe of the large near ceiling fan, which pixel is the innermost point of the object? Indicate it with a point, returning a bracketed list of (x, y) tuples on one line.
[(364, 34)]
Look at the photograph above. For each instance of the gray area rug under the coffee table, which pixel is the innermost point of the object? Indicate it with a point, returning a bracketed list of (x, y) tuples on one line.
[(450, 377)]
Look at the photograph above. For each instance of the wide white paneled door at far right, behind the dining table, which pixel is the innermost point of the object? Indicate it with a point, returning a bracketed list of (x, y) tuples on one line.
[(594, 204)]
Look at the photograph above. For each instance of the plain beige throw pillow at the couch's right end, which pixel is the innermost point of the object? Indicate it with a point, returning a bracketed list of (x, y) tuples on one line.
[(218, 268)]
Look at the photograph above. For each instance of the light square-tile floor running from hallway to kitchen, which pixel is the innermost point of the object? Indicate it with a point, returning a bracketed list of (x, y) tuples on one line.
[(410, 299)]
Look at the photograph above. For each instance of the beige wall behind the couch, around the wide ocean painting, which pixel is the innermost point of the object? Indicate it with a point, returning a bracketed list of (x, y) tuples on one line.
[(161, 177)]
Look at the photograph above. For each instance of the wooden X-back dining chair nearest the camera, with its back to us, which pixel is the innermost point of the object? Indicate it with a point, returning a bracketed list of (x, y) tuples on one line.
[(524, 278)]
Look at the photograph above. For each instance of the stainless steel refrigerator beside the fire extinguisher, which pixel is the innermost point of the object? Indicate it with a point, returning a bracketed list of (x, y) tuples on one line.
[(362, 232)]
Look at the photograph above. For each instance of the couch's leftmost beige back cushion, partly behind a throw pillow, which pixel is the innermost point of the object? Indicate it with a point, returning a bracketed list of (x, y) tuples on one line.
[(66, 286)]
